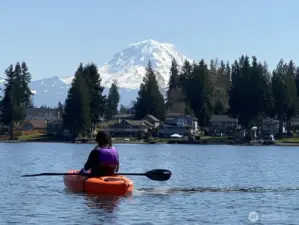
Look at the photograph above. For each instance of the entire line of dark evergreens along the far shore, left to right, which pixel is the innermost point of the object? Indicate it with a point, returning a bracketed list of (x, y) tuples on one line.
[(245, 89)]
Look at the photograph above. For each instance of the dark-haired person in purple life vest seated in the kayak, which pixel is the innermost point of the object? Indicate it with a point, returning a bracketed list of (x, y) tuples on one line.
[(104, 159)]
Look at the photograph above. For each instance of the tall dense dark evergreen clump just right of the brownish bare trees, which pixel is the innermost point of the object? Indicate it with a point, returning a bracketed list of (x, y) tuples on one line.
[(249, 92)]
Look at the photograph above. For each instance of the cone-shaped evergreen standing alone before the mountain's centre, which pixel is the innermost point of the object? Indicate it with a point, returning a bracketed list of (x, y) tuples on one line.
[(149, 100)]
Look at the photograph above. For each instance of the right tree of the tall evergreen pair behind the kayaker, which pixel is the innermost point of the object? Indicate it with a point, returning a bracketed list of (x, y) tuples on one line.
[(97, 99)]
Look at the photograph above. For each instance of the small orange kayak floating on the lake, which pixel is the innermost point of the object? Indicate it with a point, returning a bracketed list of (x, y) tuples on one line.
[(113, 185)]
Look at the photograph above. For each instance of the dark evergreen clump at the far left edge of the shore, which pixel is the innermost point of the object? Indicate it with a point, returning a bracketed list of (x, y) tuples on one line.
[(17, 96)]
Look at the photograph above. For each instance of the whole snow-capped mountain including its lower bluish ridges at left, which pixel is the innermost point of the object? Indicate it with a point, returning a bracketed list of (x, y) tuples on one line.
[(127, 67)]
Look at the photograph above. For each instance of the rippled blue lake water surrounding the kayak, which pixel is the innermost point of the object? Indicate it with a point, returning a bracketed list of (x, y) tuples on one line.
[(210, 185)]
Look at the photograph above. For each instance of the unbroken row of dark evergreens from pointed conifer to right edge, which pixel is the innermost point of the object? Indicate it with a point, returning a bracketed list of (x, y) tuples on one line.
[(246, 90)]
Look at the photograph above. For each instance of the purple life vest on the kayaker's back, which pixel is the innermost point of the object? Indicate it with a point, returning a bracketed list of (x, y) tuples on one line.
[(108, 157)]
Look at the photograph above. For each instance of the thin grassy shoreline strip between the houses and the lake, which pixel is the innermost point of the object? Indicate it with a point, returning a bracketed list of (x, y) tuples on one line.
[(291, 141)]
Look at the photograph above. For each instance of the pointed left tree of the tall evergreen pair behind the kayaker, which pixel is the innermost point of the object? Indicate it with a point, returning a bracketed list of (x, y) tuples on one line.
[(76, 117)]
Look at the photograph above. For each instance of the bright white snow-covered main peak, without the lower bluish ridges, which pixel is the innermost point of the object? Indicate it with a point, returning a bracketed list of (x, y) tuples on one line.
[(128, 66)]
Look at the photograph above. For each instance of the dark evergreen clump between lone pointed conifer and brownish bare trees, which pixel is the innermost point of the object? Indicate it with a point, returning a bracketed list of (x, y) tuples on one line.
[(190, 90)]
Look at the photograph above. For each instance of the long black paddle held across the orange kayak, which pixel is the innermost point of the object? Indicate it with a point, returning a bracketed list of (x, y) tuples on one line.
[(157, 174)]
